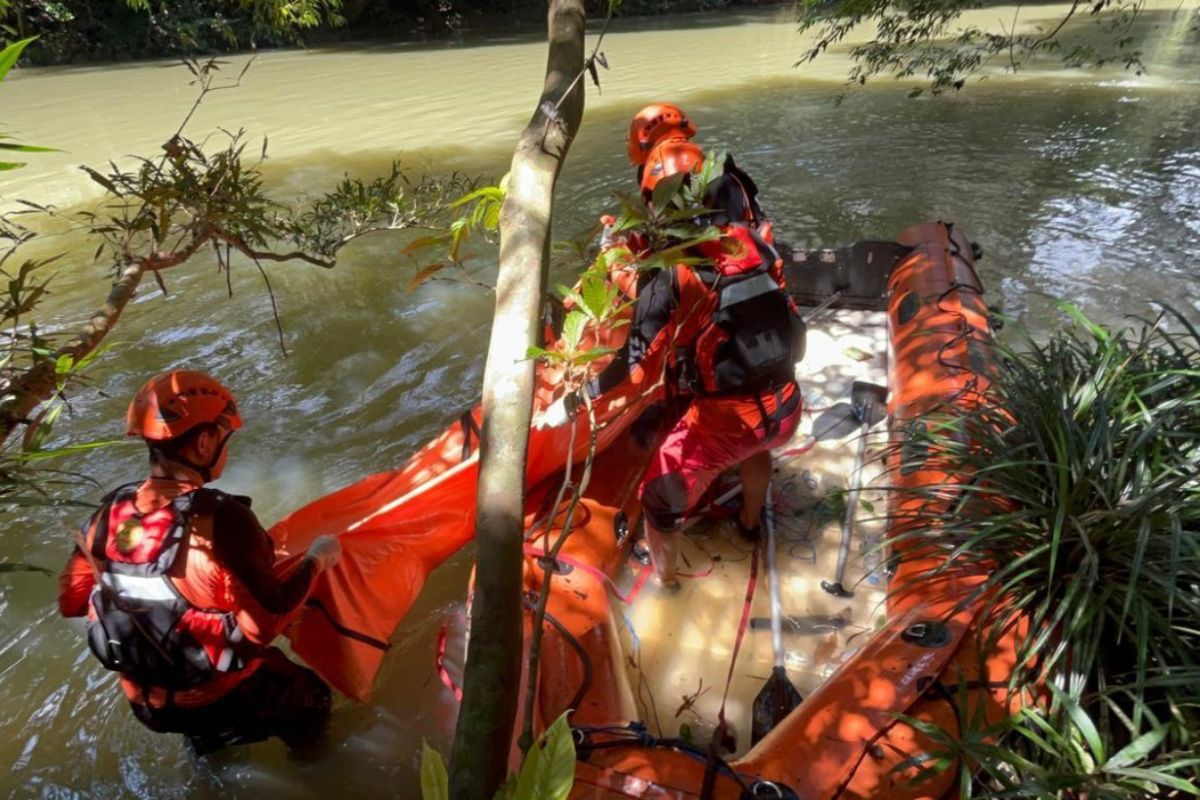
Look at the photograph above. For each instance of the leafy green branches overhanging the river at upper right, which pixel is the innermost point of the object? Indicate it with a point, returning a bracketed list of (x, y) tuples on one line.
[(923, 39)]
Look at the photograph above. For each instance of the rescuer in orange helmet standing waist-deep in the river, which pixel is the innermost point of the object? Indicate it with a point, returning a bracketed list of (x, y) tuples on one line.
[(181, 588)]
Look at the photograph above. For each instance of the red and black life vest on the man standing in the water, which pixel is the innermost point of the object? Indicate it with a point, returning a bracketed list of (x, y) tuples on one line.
[(139, 623)]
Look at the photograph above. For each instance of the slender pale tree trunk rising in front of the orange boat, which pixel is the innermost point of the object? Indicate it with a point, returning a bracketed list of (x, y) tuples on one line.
[(484, 736)]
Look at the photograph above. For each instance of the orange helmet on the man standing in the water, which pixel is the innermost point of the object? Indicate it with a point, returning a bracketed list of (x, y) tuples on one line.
[(172, 404)]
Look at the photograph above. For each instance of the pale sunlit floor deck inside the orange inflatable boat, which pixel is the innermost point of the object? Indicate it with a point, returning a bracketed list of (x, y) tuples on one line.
[(680, 645)]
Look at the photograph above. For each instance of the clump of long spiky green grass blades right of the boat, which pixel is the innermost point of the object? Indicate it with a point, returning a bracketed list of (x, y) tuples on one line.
[(1078, 486)]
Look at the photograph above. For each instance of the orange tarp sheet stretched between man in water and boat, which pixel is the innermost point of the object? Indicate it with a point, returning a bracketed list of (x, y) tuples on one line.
[(398, 527)]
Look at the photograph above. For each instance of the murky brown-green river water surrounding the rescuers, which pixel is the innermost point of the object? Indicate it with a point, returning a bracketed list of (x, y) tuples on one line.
[(1084, 187)]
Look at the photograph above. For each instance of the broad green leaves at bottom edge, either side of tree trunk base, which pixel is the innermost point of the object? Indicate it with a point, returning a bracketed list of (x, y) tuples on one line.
[(548, 772)]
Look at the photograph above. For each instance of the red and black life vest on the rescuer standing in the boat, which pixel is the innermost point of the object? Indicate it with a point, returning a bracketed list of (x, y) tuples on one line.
[(753, 336)]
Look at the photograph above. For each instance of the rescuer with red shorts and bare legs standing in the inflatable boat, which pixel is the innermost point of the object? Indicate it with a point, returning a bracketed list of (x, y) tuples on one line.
[(733, 339)]
